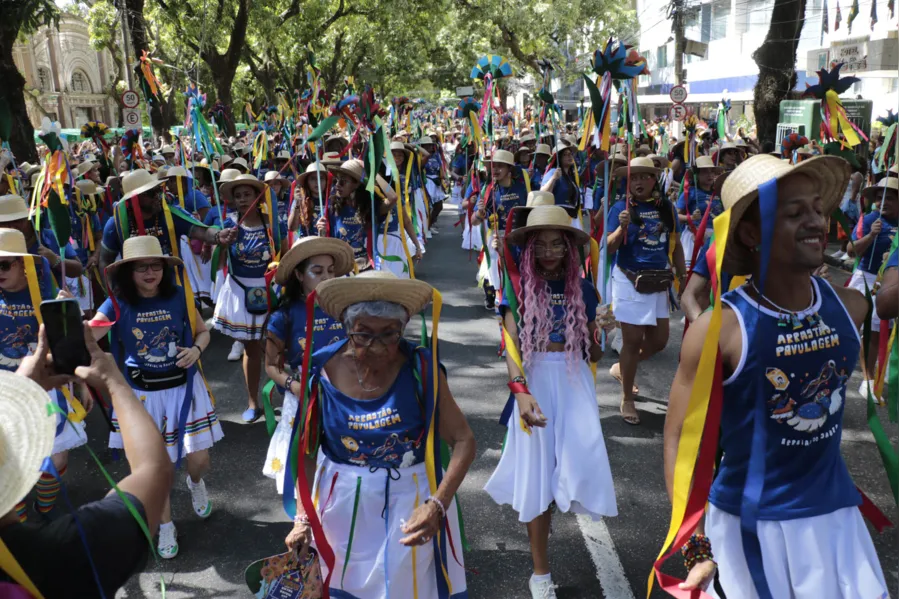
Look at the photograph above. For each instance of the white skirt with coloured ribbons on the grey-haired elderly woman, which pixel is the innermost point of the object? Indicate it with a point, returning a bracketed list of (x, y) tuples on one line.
[(376, 556)]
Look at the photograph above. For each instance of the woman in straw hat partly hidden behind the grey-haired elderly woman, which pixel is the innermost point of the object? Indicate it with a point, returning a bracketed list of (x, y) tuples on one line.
[(311, 260)]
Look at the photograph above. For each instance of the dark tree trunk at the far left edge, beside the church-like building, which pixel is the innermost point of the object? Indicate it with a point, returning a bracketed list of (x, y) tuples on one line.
[(12, 92)]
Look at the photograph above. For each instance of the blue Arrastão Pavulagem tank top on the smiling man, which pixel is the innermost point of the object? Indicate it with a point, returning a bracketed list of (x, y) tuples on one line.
[(799, 369)]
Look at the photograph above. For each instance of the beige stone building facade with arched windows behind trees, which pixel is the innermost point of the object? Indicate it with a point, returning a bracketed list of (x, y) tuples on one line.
[(66, 79)]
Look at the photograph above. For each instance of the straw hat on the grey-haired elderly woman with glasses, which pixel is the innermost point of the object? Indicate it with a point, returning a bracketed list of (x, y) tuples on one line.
[(336, 295)]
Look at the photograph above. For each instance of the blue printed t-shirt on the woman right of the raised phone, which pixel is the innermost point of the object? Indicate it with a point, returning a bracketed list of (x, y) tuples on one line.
[(150, 331)]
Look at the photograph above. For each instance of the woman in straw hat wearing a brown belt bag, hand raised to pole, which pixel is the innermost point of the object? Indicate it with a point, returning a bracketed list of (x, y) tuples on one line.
[(643, 240)]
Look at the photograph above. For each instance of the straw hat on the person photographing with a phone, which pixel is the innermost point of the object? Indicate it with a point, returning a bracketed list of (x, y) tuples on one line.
[(27, 430)]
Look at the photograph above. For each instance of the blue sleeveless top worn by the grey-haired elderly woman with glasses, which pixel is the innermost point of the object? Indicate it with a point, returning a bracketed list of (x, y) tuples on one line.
[(386, 432)]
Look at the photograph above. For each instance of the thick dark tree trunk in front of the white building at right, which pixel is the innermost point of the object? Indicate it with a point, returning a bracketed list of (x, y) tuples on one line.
[(776, 59)]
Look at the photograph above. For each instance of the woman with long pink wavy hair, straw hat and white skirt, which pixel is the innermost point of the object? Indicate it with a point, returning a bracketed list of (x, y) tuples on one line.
[(554, 451)]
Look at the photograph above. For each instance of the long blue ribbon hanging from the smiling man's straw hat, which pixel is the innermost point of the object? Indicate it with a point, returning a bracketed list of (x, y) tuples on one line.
[(755, 475)]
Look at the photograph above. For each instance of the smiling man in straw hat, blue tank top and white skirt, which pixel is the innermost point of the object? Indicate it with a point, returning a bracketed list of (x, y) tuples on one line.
[(788, 344)]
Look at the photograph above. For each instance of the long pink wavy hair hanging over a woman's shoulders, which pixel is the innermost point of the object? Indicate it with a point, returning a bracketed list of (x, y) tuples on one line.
[(535, 310)]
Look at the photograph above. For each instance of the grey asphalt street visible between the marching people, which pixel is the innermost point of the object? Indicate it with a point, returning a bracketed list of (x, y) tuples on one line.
[(589, 560)]
